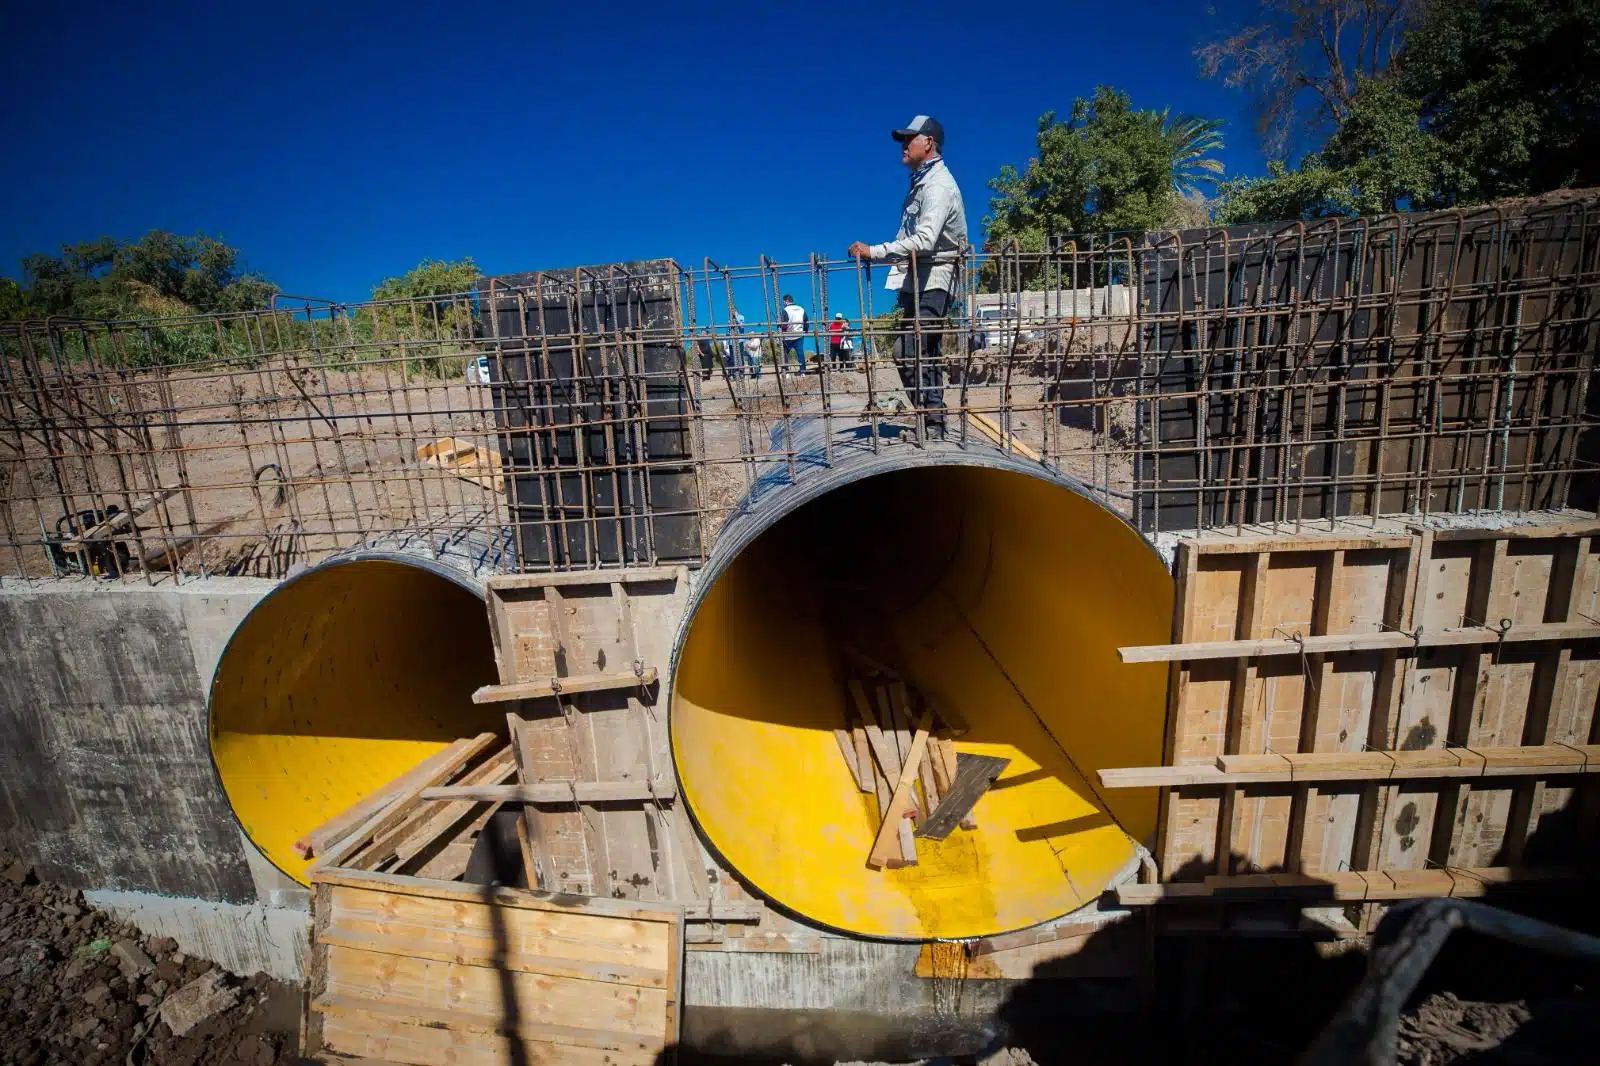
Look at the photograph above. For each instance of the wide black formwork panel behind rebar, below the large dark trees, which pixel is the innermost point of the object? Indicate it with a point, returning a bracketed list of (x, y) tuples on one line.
[(1290, 367)]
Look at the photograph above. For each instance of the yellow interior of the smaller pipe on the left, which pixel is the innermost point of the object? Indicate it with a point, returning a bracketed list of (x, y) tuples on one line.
[(337, 684)]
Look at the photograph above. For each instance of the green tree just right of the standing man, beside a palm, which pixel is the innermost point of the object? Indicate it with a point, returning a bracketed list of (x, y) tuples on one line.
[(1106, 169)]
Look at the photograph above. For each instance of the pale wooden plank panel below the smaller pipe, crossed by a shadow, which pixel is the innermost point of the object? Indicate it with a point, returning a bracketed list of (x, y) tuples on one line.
[(434, 974)]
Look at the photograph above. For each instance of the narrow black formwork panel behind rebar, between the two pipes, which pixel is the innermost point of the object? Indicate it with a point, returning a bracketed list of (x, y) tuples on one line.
[(594, 415)]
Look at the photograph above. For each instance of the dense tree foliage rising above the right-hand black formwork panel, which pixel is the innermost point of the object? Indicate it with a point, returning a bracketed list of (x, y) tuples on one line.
[(1481, 102)]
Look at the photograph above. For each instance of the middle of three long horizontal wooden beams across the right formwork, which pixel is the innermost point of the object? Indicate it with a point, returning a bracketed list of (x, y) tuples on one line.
[(1367, 766)]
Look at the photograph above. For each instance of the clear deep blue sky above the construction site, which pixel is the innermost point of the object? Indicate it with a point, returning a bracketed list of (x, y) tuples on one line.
[(337, 145)]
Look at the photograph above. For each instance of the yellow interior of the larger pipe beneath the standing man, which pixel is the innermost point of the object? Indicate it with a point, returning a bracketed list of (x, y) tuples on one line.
[(999, 595)]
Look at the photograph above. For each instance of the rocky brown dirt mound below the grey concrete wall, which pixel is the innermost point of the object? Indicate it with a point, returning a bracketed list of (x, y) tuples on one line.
[(79, 987)]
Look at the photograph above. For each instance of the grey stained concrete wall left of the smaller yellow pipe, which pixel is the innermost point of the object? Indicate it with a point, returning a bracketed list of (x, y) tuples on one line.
[(106, 777)]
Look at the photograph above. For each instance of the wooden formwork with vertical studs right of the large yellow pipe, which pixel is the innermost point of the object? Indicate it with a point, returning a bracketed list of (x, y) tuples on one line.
[(1410, 596)]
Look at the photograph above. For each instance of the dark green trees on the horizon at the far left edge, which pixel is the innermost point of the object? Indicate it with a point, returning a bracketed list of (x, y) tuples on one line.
[(158, 275)]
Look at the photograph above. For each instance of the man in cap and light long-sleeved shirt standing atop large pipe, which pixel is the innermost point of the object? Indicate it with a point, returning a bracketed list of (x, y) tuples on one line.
[(926, 254)]
